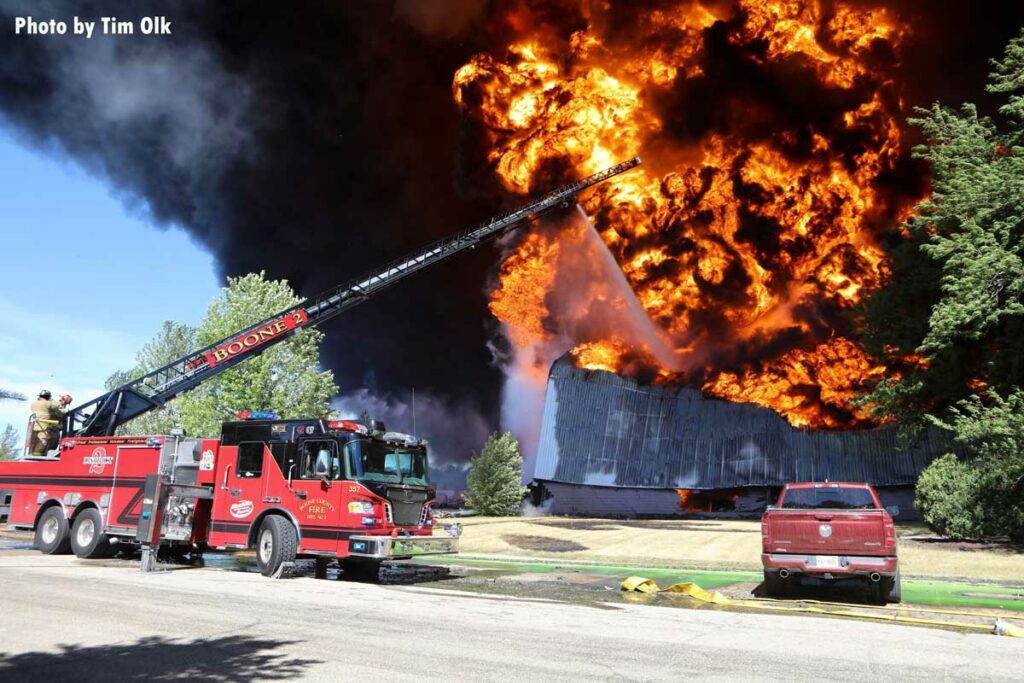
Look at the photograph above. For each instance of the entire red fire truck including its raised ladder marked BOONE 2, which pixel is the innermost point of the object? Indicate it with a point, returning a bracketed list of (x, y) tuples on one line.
[(289, 489)]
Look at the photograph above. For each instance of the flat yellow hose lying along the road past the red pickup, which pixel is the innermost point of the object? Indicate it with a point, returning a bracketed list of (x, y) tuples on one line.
[(643, 585)]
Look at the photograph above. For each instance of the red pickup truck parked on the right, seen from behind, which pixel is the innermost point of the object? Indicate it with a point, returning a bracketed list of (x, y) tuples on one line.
[(828, 534)]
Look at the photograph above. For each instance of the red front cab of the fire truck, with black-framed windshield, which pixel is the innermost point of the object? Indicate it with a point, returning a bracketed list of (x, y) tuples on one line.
[(336, 489)]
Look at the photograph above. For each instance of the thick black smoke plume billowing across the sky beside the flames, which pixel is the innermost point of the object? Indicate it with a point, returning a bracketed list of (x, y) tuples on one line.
[(315, 141)]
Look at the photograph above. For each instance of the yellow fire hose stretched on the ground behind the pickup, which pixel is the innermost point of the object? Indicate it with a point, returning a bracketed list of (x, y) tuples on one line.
[(1002, 627)]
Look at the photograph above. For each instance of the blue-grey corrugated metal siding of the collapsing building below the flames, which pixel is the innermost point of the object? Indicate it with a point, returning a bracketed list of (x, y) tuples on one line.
[(603, 430)]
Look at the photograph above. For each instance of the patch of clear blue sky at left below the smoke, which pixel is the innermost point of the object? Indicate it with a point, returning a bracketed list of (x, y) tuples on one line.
[(86, 282)]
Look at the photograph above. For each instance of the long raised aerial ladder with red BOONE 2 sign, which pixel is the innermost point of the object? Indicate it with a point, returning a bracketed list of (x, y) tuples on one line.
[(102, 416)]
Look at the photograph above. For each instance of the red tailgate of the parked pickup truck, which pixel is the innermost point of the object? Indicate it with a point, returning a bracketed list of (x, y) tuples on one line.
[(826, 532)]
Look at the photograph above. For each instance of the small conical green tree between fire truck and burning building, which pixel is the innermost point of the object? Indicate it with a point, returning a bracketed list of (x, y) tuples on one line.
[(493, 487)]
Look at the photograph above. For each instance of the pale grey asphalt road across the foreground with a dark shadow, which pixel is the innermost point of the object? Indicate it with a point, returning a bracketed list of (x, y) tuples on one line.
[(63, 619)]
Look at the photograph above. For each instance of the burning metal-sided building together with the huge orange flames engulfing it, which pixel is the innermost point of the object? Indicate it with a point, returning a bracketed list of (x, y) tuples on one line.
[(719, 283)]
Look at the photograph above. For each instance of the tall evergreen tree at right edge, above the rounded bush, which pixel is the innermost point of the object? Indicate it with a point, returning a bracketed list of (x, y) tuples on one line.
[(958, 292)]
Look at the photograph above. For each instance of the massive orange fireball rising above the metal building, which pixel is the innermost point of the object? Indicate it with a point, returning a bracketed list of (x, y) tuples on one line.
[(770, 132)]
